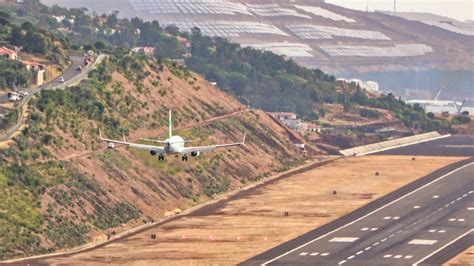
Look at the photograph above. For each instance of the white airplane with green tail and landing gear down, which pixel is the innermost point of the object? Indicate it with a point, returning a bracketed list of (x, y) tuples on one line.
[(173, 145)]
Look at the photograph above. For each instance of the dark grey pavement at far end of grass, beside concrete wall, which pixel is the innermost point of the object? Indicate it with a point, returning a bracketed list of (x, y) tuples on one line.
[(457, 145)]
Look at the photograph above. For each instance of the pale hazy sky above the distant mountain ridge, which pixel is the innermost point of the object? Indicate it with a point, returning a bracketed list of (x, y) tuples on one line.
[(457, 9)]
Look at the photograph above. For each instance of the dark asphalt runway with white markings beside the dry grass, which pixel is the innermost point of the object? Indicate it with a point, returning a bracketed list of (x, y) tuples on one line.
[(425, 222)]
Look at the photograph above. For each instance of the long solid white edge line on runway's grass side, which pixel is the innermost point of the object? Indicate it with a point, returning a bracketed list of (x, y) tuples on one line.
[(372, 212)]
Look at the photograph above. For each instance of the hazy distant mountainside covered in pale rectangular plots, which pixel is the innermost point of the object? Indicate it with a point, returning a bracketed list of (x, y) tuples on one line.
[(313, 33)]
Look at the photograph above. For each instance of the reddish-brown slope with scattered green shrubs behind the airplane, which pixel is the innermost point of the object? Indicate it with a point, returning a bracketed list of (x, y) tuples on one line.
[(61, 188)]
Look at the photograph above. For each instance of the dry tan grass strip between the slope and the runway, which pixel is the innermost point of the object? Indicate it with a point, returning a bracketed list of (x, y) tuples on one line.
[(252, 224)]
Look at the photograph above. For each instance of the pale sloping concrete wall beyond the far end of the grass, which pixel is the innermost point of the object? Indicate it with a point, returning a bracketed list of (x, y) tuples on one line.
[(392, 144)]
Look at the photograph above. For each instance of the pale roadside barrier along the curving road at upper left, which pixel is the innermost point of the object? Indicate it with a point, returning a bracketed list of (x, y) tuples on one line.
[(8, 134)]
